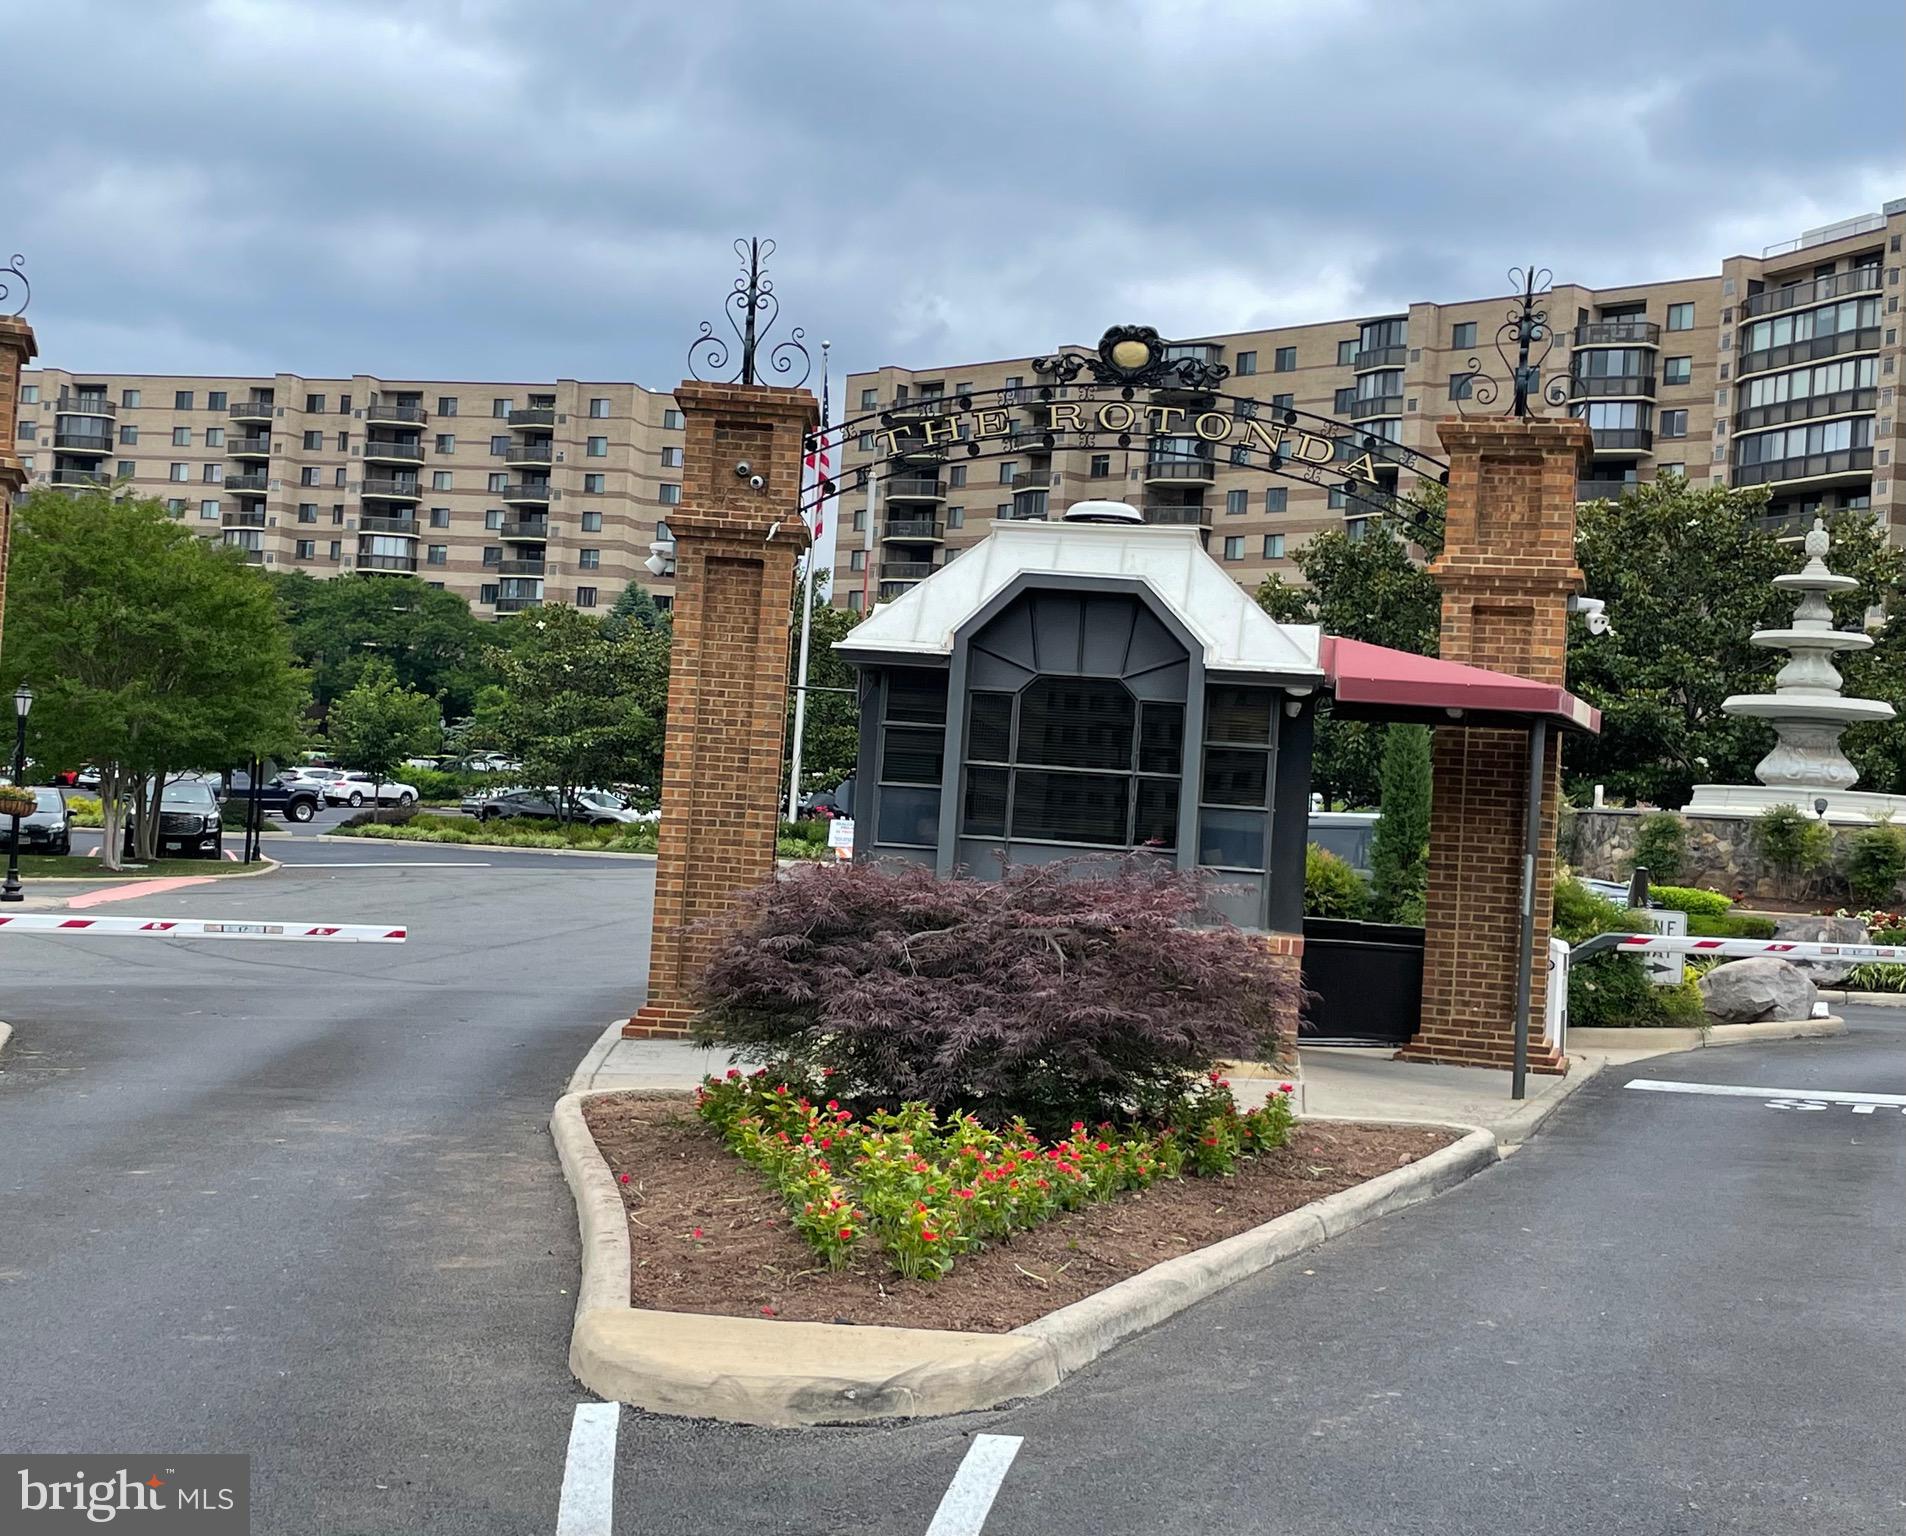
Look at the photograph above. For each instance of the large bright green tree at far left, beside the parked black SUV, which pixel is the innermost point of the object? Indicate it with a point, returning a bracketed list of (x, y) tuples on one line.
[(150, 651)]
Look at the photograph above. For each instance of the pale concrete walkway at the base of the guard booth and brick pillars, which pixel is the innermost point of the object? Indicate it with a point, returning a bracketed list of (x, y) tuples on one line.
[(1331, 1083)]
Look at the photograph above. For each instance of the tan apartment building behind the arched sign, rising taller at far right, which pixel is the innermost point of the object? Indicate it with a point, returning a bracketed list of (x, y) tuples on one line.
[(1779, 371)]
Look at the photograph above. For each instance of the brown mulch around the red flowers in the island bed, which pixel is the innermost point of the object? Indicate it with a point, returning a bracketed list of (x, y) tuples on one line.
[(750, 1263)]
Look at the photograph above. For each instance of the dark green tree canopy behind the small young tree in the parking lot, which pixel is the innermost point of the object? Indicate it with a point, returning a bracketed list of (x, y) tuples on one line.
[(428, 637)]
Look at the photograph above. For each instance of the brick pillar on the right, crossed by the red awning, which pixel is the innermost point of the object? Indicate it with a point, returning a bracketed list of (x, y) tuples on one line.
[(1507, 573)]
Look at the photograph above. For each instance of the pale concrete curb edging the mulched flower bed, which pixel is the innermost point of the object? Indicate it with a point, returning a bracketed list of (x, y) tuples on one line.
[(790, 1375)]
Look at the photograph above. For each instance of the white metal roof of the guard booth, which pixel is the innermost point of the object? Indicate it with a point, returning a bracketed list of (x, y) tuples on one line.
[(1238, 636)]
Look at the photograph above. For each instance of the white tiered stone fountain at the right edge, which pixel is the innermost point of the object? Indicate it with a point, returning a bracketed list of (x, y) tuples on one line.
[(1808, 712)]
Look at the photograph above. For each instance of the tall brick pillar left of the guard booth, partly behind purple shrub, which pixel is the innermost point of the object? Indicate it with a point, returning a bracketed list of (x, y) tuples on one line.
[(721, 778)]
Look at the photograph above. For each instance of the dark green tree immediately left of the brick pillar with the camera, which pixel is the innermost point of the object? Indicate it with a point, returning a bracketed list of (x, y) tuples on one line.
[(577, 710)]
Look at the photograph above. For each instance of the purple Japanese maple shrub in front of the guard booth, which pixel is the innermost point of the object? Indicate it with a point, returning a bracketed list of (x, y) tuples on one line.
[(1055, 994)]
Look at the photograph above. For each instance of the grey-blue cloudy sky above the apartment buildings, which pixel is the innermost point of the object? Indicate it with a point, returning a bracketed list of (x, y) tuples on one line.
[(525, 190)]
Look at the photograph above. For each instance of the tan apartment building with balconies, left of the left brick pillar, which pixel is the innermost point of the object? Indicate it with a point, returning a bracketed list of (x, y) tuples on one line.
[(512, 495)]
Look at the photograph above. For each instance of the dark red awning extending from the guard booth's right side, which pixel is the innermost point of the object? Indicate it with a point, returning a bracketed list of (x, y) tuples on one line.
[(1377, 683)]
